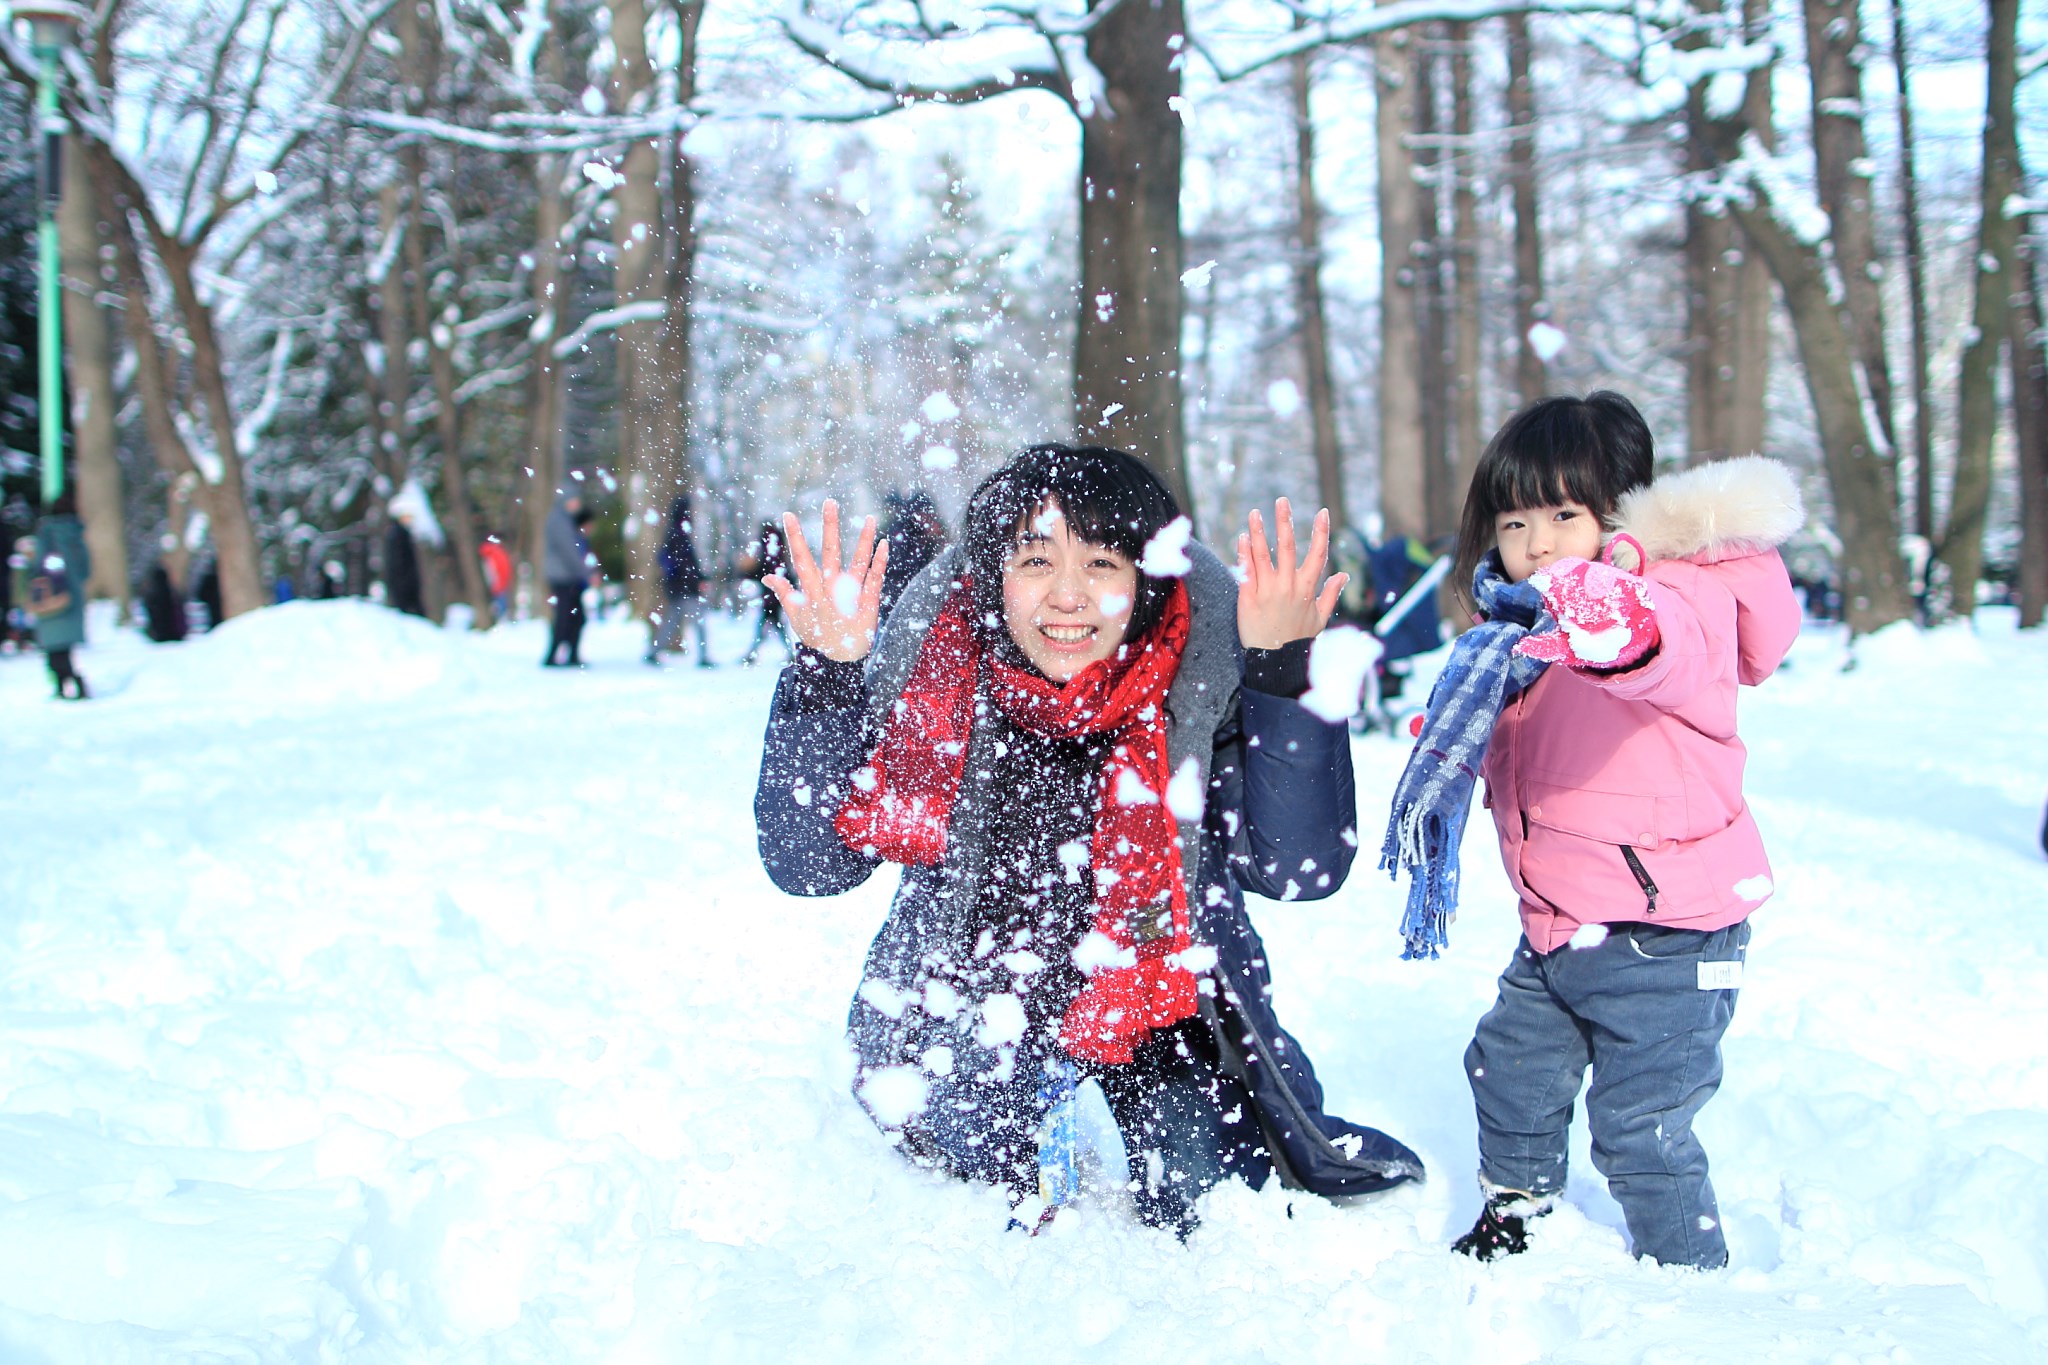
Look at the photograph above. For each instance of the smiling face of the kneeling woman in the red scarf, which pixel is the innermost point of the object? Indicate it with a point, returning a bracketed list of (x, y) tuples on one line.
[(1066, 603)]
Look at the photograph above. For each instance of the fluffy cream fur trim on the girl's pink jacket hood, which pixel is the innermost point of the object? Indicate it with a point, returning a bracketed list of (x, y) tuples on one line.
[(1715, 513)]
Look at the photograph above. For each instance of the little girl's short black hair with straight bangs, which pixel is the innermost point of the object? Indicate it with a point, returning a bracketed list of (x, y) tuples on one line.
[(1588, 451)]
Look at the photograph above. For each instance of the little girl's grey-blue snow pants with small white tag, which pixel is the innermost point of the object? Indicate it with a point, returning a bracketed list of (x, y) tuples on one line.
[(1646, 1010)]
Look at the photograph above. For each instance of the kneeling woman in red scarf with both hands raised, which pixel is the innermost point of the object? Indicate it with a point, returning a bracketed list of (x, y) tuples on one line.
[(1082, 742)]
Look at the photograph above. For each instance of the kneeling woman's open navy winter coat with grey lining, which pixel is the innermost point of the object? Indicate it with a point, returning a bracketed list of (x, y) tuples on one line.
[(1279, 822)]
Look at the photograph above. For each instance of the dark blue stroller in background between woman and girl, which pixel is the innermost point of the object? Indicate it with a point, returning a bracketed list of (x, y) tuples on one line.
[(1392, 595)]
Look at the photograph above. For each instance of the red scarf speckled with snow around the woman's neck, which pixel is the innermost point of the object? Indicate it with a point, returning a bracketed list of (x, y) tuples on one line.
[(902, 805)]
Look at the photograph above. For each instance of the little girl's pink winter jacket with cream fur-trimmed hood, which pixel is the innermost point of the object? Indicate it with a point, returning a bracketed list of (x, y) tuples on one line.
[(1621, 797)]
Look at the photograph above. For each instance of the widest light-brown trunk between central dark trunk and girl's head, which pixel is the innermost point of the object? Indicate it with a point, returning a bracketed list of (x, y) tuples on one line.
[(1404, 453)]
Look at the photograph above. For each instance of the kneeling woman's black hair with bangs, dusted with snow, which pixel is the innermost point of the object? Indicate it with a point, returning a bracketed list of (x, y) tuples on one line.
[(1109, 498)]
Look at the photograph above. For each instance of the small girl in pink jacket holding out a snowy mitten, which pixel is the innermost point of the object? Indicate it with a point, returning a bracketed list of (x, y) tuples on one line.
[(1598, 703)]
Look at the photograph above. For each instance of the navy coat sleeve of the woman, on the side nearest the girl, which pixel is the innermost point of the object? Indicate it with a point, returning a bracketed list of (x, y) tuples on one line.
[(1299, 828)]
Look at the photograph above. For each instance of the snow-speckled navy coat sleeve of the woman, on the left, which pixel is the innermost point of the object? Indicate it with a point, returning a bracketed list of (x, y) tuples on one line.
[(816, 740)]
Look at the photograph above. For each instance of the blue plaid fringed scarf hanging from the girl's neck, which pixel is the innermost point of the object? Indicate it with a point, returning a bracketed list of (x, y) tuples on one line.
[(1437, 791)]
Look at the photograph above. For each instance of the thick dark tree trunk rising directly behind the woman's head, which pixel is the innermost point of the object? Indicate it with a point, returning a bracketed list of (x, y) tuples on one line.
[(1127, 355)]
